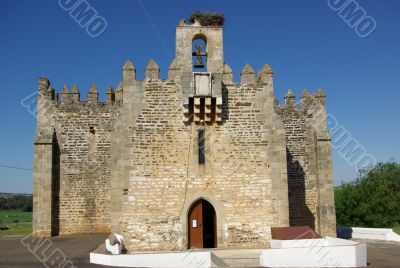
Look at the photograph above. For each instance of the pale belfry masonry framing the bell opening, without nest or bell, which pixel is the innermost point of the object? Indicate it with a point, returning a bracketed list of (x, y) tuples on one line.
[(190, 81)]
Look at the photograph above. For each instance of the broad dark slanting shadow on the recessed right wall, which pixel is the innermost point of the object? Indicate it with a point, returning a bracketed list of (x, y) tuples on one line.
[(299, 213)]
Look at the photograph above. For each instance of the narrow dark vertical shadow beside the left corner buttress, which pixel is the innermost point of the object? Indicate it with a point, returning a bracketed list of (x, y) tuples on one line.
[(55, 191)]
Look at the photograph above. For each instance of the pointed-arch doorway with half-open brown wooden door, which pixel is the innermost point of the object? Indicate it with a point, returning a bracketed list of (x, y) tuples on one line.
[(202, 225)]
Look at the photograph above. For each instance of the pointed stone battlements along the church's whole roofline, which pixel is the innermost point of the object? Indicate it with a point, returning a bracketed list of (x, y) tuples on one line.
[(114, 97)]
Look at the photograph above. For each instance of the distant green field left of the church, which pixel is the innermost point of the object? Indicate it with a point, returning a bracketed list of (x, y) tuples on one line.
[(15, 223)]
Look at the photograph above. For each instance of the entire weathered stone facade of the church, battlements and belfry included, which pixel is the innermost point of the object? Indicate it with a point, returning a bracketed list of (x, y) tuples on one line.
[(131, 164)]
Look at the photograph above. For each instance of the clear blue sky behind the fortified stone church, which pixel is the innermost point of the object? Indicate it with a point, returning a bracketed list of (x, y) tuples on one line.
[(307, 44)]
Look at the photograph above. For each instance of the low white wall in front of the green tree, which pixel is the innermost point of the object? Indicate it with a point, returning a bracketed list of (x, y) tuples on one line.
[(368, 233)]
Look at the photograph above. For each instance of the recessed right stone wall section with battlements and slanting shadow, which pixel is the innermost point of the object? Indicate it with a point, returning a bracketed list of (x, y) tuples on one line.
[(305, 125)]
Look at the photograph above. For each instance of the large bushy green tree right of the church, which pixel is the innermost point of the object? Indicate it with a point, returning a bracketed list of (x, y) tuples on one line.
[(372, 200)]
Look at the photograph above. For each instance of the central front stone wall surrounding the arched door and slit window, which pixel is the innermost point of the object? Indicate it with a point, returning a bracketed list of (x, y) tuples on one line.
[(244, 176)]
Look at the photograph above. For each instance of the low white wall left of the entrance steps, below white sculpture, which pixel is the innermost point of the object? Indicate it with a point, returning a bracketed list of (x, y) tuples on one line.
[(155, 260)]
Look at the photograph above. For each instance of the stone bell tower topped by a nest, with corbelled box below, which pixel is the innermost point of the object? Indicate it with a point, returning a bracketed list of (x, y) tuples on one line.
[(201, 66)]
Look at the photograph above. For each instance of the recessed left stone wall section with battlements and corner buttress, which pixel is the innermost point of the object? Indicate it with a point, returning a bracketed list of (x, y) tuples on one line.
[(73, 137)]
